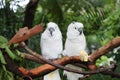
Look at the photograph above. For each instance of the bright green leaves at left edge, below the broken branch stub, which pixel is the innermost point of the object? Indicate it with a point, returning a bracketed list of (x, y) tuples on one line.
[(6, 49)]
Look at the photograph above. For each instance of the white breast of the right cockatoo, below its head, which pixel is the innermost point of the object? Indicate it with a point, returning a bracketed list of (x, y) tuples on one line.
[(74, 46)]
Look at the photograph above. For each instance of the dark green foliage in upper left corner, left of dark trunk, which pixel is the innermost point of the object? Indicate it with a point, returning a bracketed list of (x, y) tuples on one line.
[(10, 21)]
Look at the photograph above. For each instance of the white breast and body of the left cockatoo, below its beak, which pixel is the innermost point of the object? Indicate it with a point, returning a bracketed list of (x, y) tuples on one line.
[(51, 46)]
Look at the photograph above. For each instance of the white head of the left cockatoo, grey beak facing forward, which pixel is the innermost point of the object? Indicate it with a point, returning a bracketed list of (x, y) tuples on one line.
[(52, 29)]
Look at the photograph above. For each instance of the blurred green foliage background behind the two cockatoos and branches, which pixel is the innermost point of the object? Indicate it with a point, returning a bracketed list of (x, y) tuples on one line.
[(101, 19)]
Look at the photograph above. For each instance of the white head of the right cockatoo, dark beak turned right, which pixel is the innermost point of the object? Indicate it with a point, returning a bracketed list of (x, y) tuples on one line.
[(75, 29)]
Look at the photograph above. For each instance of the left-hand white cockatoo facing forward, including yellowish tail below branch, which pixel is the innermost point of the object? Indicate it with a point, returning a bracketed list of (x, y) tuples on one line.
[(51, 47)]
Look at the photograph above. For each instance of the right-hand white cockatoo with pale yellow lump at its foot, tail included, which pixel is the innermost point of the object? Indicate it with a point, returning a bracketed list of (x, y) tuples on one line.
[(75, 45)]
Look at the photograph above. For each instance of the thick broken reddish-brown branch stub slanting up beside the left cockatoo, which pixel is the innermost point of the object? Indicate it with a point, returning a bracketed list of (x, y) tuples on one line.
[(25, 33)]
